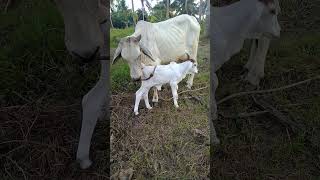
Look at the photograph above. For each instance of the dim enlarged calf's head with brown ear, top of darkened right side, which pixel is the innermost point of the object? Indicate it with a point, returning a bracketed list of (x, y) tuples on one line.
[(267, 22)]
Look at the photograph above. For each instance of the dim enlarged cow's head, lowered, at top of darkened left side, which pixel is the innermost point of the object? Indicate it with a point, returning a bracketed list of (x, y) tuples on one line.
[(82, 19)]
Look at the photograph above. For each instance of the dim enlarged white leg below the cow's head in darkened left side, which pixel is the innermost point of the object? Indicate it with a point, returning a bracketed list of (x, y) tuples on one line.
[(92, 109)]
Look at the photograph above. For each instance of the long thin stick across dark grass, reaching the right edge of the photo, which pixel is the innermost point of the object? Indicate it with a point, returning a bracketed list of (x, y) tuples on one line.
[(266, 91)]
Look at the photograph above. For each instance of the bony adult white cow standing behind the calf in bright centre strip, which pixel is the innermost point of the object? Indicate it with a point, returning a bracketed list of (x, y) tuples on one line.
[(160, 43)]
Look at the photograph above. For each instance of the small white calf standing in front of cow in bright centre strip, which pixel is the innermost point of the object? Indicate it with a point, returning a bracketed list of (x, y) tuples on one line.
[(158, 75)]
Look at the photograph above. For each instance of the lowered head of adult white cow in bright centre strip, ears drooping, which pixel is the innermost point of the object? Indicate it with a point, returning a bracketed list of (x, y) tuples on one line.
[(130, 49)]
